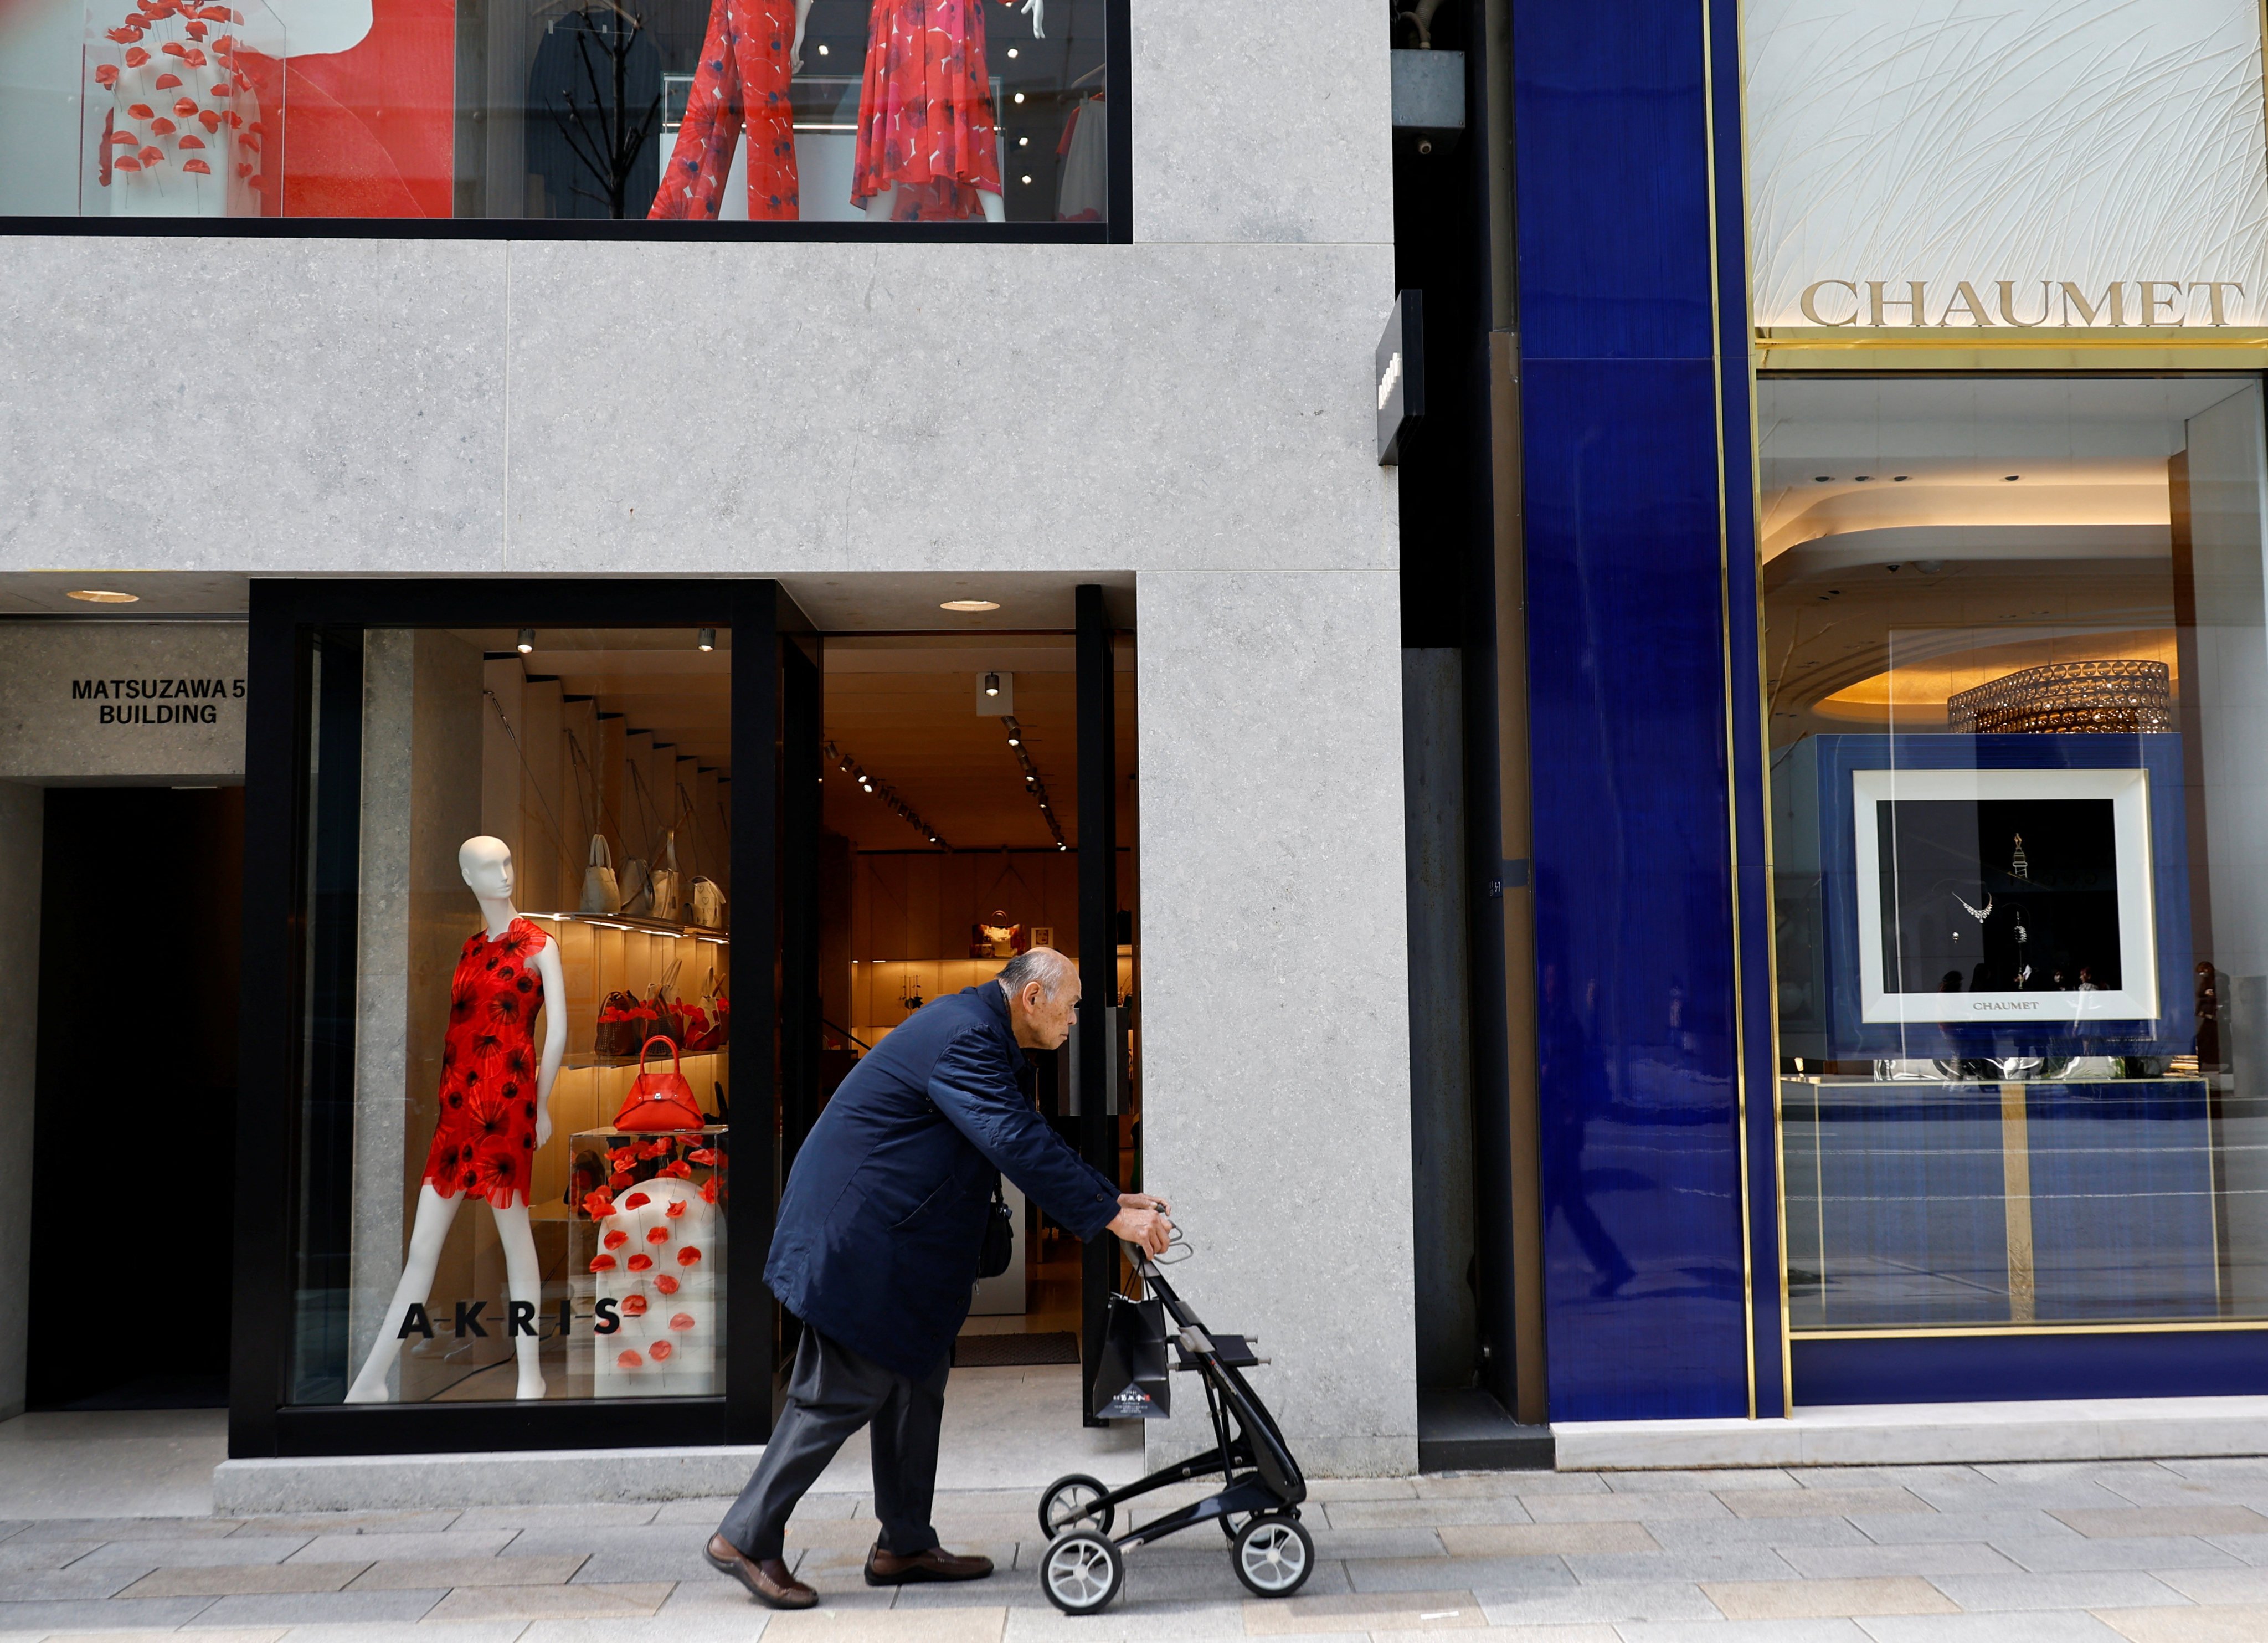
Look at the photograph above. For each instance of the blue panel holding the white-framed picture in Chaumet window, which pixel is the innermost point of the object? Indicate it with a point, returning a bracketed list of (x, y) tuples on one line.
[(1988, 895)]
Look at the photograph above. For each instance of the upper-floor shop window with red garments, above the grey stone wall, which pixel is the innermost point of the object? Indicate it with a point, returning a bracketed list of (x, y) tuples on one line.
[(677, 110)]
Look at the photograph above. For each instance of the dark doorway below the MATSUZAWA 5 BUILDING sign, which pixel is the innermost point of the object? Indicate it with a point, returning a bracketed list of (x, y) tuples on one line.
[(135, 1109)]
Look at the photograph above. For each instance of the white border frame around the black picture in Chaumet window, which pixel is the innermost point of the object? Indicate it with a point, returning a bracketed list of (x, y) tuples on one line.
[(2129, 791)]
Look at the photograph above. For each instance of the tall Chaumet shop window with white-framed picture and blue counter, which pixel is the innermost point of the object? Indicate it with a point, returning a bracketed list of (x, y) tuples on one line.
[(2017, 682)]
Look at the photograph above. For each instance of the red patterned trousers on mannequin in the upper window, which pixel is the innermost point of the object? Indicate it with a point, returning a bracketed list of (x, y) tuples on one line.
[(741, 85)]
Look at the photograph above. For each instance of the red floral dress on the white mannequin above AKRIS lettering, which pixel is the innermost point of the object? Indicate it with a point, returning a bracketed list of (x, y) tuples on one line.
[(486, 1138)]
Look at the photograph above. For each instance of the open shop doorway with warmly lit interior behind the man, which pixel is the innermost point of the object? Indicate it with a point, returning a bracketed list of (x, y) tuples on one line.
[(958, 827)]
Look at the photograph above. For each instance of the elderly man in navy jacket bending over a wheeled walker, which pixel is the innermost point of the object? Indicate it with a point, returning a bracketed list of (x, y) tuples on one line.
[(877, 1249)]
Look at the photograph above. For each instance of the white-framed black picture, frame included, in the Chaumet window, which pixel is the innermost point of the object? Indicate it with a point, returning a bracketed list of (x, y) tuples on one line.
[(2004, 895)]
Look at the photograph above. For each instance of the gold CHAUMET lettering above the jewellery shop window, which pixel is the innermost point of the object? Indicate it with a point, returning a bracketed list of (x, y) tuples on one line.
[(2022, 305)]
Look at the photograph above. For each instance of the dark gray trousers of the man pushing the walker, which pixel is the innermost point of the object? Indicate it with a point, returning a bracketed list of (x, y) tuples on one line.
[(831, 1395)]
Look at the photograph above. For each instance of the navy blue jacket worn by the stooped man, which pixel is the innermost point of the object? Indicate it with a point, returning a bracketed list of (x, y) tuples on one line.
[(883, 1220)]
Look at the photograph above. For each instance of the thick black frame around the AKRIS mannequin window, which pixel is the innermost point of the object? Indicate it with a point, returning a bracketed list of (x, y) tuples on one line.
[(282, 707)]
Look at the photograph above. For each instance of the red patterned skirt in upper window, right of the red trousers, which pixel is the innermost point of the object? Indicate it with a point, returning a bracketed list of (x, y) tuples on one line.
[(924, 115)]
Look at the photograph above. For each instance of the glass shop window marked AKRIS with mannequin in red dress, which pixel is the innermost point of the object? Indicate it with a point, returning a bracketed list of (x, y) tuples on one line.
[(518, 1018)]
